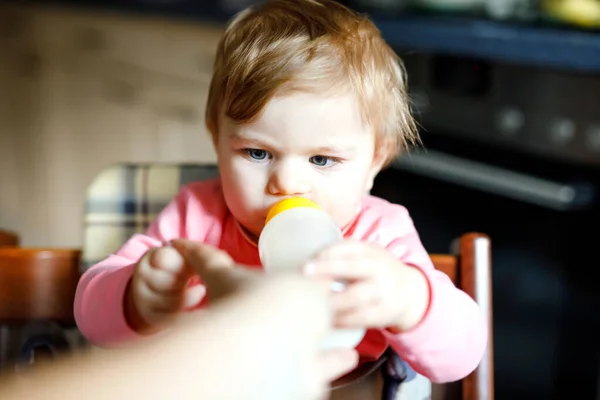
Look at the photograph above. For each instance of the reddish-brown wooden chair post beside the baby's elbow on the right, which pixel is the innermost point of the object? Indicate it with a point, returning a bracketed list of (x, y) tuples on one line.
[(470, 270)]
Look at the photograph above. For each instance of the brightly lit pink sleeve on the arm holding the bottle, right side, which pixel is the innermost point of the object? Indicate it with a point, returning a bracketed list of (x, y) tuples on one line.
[(449, 342)]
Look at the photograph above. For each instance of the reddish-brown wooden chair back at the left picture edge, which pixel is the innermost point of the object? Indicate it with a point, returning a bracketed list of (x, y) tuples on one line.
[(37, 289)]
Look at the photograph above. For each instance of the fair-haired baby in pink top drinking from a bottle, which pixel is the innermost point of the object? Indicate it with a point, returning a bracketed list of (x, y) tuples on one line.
[(306, 100)]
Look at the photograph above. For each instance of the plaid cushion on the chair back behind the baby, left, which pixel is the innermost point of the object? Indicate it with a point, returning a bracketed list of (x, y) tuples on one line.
[(125, 199)]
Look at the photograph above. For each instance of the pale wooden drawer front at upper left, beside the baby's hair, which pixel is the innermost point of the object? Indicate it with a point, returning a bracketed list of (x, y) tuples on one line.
[(174, 48)]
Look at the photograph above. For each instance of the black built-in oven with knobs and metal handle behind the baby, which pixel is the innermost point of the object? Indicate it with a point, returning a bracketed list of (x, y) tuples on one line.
[(514, 152)]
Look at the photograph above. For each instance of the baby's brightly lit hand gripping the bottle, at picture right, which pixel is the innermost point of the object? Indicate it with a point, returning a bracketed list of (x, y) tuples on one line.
[(381, 291)]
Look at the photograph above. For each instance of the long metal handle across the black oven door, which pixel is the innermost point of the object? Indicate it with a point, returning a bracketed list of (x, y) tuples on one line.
[(491, 179)]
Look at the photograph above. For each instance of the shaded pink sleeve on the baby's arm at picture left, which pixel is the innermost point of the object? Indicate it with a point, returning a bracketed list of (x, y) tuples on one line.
[(98, 308)]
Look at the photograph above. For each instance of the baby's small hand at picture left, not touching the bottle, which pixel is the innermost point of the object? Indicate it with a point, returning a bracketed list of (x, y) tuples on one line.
[(159, 290)]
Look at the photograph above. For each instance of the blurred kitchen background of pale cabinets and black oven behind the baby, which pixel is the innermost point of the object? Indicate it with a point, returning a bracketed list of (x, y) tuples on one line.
[(507, 93)]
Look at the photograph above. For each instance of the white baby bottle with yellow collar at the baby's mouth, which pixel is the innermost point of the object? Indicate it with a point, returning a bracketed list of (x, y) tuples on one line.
[(295, 230)]
